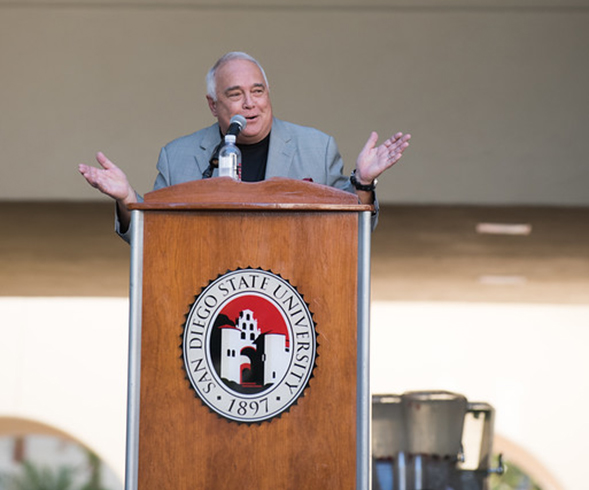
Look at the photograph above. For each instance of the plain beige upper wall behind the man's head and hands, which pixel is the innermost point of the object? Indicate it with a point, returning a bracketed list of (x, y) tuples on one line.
[(494, 92)]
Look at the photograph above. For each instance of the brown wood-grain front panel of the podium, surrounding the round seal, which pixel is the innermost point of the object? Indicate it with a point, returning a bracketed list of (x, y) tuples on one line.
[(182, 444)]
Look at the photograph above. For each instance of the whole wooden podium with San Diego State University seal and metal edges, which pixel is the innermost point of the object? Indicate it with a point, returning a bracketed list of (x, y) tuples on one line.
[(198, 251)]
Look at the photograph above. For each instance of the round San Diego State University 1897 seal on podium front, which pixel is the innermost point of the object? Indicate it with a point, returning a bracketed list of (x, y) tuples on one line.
[(249, 345)]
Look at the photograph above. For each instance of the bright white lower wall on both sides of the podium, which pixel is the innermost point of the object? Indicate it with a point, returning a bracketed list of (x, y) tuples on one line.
[(68, 370)]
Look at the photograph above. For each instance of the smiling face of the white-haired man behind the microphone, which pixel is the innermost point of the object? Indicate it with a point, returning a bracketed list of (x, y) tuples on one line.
[(241, 89)]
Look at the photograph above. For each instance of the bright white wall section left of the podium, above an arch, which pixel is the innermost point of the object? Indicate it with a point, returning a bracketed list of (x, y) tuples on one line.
[(63, 363)]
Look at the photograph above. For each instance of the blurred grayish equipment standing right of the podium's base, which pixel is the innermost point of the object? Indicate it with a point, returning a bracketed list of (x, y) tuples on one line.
[(431, 440)]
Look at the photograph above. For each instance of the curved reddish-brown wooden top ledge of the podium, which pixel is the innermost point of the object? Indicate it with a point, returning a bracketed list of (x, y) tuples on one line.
[(277, 193)]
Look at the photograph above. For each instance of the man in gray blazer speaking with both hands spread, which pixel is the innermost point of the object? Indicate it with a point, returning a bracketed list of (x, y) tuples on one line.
[(237, 84)]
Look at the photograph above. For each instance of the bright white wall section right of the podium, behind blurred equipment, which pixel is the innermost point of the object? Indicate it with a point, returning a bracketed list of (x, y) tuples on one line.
[(527, 361)]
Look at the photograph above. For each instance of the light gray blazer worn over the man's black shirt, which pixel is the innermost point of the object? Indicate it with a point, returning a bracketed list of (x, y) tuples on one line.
[(295, 152)]
